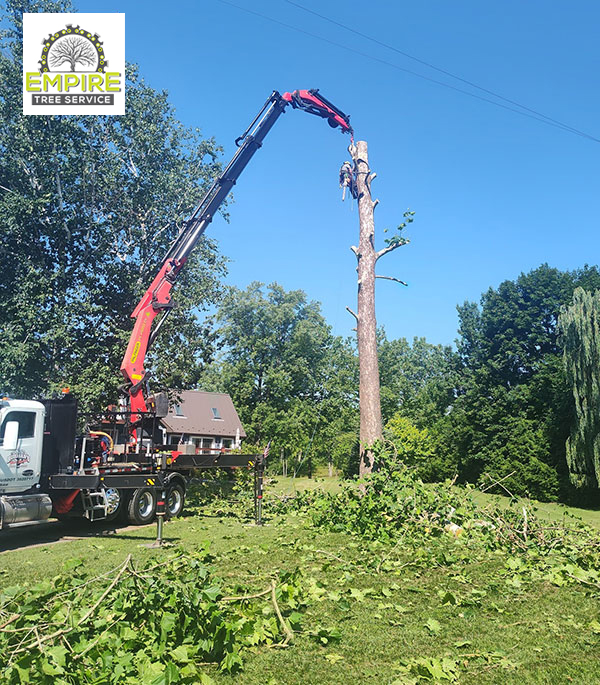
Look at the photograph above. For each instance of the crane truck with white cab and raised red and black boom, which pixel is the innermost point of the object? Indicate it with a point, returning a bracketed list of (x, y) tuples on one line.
[(118, 466)]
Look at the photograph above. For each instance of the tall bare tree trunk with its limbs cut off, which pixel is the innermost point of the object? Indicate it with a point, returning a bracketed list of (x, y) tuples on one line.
[(366, 326)]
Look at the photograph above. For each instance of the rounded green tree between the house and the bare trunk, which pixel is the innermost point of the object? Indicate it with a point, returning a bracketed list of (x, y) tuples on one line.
[(291, 380)]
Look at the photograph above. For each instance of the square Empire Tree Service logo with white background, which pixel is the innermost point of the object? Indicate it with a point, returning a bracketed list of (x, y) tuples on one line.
[(79, 62)]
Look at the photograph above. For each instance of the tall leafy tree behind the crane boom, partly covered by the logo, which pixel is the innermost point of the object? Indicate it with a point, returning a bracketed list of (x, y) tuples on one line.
[(88, 206)]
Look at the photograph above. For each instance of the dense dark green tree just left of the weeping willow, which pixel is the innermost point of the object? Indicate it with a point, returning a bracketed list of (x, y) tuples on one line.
[(513, 411)]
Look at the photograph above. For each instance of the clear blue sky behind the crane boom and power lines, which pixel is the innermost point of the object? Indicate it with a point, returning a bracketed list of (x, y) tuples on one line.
[(495, 193)]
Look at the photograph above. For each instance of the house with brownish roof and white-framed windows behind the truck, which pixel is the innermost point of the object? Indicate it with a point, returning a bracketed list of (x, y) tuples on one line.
[(202, 422)]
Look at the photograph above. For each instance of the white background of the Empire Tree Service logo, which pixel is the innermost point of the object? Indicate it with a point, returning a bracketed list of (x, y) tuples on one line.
[(110, 29)]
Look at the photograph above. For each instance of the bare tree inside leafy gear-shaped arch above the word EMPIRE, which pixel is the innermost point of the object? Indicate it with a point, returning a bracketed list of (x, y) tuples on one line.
[(70, 47)]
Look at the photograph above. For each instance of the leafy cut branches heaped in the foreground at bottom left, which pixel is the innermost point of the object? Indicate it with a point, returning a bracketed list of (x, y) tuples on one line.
[(156, 624)]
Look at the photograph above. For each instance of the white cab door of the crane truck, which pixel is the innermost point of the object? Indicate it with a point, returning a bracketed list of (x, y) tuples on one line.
[(20, 466)]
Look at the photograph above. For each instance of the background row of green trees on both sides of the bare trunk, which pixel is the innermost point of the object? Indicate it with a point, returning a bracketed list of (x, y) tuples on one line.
[(499, 410)]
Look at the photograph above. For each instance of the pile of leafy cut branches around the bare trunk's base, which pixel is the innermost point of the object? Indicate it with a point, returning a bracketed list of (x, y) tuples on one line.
[(393, 504)]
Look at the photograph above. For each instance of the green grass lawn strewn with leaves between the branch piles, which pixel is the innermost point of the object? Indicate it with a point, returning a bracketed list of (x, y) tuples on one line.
[(455, 605)]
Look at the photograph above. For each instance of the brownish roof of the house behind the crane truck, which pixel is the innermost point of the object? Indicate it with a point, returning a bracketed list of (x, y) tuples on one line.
[(198, 417)]
